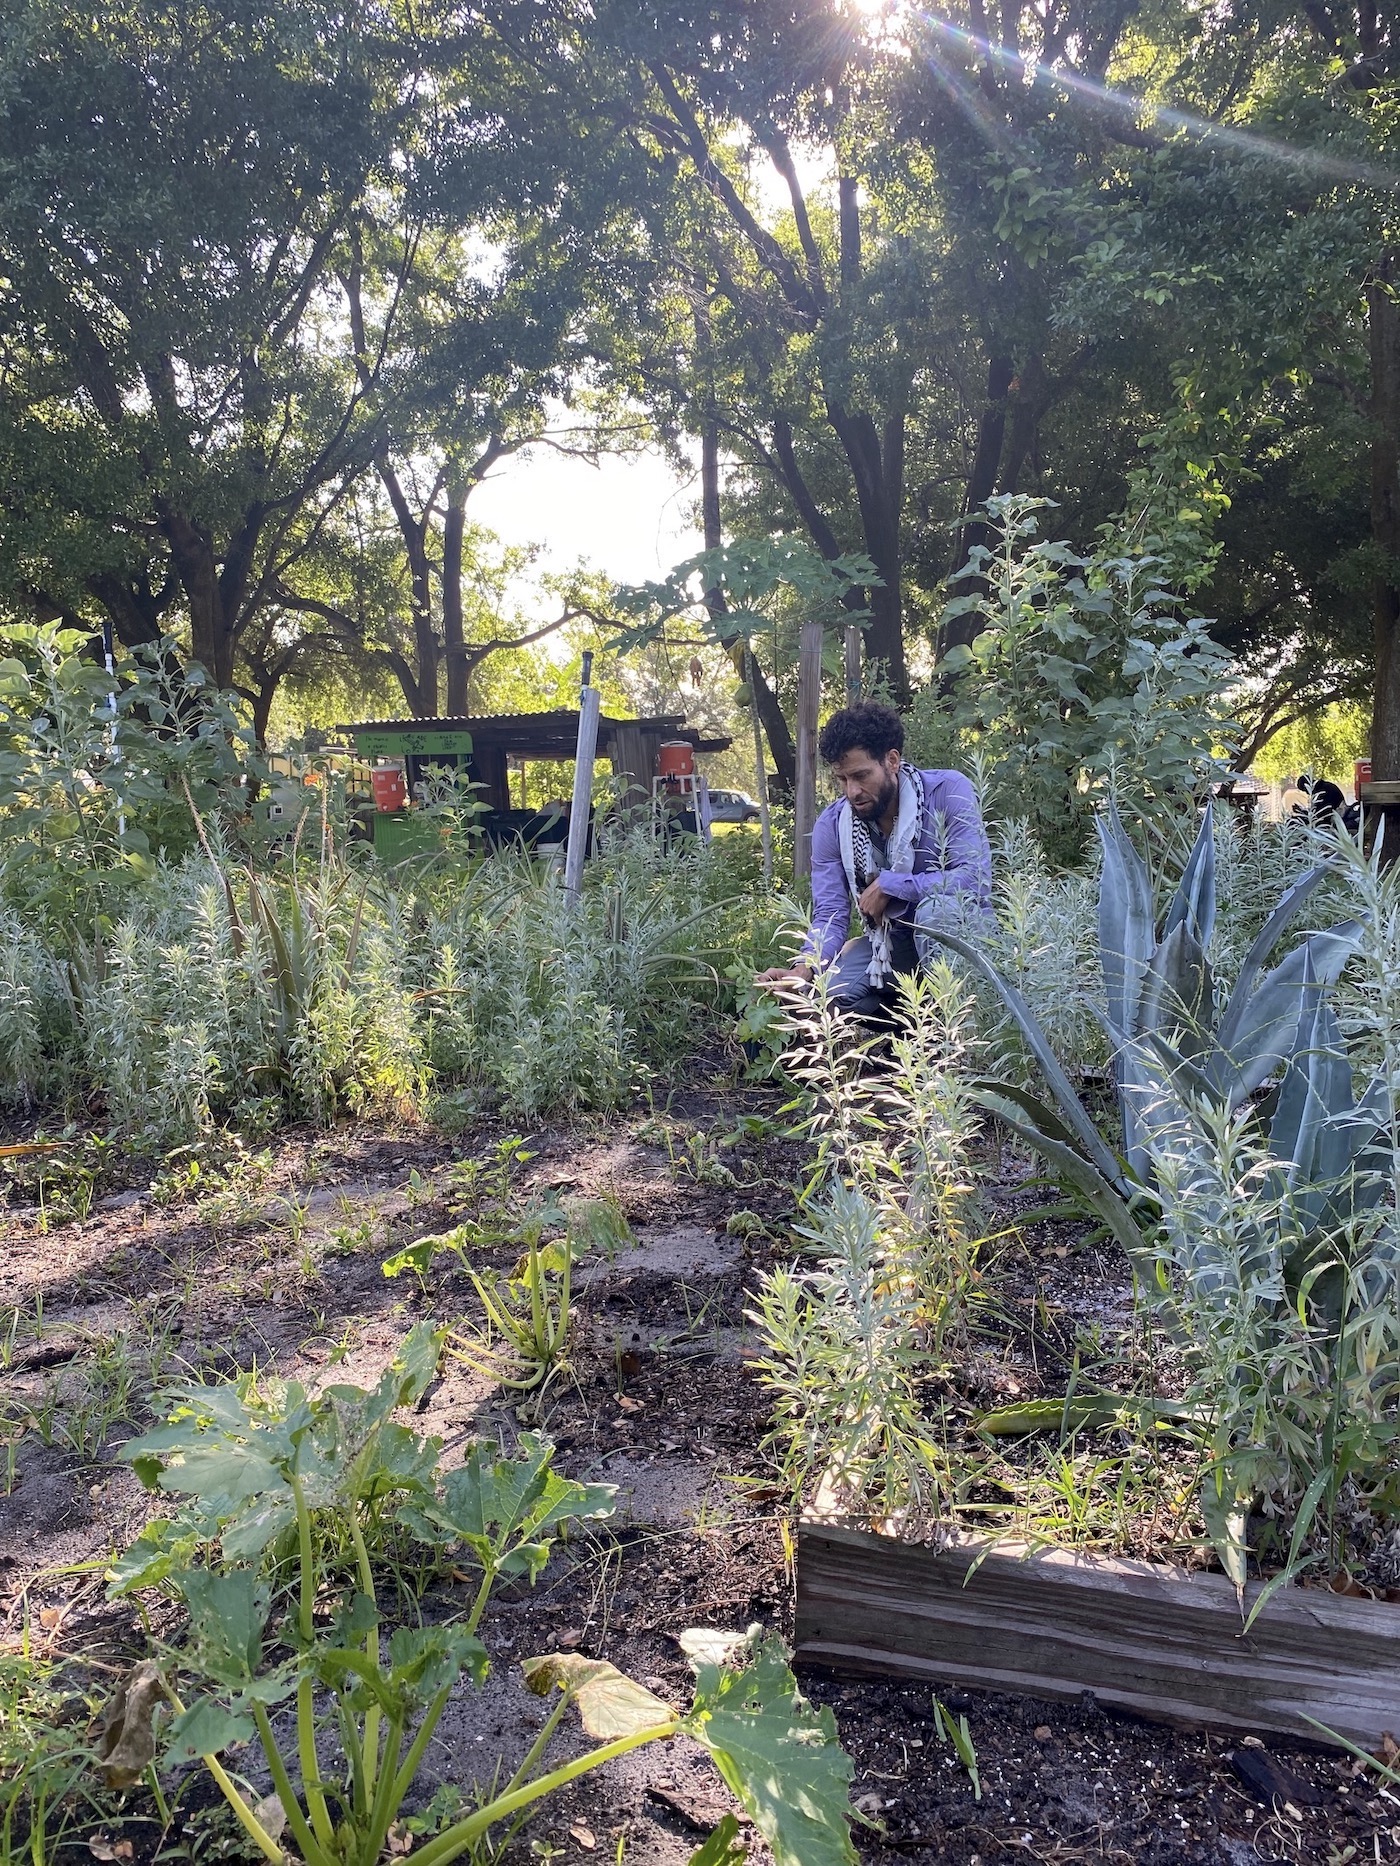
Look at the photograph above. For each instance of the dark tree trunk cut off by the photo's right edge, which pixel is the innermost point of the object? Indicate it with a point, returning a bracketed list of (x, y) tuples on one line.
[(1386, 518)]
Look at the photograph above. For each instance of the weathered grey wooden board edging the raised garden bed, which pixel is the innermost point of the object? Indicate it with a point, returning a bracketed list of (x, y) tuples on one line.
[(1140, 1636)]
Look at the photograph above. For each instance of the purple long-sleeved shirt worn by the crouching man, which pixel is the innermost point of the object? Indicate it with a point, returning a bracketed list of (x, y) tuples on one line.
[(953, 857)]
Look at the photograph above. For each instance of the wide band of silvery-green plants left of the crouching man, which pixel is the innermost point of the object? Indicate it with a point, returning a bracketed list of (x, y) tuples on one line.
[(234, 996)]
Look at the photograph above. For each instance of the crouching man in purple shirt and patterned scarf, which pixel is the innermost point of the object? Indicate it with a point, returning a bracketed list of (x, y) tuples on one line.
[(904, 846)]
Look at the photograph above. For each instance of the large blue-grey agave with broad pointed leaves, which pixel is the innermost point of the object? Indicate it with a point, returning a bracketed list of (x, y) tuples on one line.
[(1179, 1050)]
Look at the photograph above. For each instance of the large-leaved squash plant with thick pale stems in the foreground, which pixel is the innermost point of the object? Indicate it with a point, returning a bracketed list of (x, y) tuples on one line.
[(287, 1496)]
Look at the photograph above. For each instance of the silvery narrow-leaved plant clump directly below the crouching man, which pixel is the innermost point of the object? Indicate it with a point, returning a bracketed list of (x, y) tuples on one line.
[(852, 1341)]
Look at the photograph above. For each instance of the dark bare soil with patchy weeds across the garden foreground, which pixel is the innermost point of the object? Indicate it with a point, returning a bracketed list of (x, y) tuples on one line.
[(281, 1266)]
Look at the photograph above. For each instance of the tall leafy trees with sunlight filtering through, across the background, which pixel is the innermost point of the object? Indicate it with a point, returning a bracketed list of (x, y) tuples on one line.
[(279, 286)]
